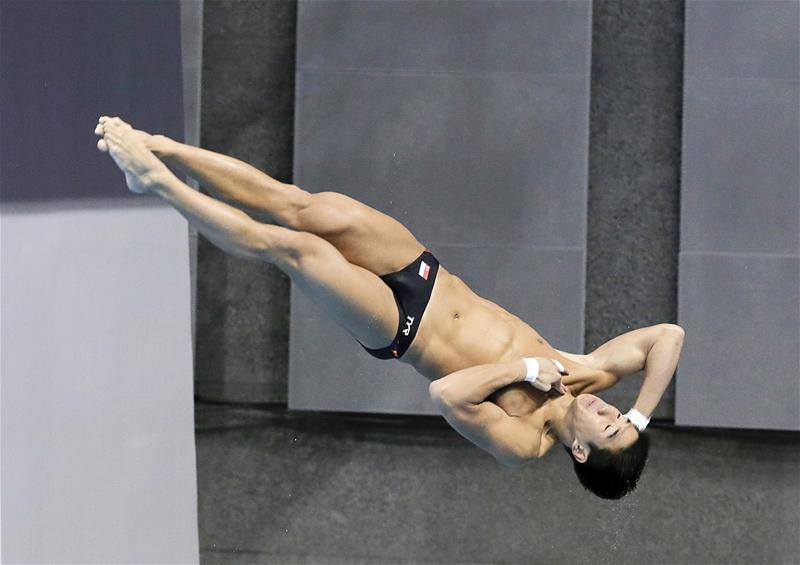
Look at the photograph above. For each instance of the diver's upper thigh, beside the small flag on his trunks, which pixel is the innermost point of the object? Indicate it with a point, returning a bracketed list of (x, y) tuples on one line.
[(363, 235)]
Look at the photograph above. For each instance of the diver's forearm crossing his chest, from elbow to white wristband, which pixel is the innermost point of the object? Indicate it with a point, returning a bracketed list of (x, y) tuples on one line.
[(475, 384)]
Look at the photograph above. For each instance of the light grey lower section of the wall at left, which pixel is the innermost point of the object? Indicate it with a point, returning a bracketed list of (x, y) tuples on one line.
[(97, 422)]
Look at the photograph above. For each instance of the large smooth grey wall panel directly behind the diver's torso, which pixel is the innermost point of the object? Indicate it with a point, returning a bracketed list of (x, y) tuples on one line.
[(467, 121)]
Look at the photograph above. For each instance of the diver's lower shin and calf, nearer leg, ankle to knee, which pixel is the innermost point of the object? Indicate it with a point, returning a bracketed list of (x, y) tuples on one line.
[(224, 225)]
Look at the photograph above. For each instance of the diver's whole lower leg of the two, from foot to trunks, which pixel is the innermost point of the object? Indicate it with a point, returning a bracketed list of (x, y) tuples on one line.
[(354, 297)]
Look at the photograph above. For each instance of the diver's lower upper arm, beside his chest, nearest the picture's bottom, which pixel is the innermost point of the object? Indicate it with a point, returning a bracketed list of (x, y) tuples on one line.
[(510, 439)]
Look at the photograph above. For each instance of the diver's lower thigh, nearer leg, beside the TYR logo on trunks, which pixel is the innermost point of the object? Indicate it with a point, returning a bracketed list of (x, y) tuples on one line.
[(355, 298)]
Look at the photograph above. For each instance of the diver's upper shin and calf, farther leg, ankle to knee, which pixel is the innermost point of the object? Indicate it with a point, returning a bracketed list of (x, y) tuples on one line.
[(227, 178)]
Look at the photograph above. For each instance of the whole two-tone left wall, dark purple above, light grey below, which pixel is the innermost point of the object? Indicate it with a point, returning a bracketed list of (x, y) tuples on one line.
[(98, 461)]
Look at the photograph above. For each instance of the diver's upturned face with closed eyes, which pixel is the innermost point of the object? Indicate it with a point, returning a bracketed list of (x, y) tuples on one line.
[(601, 424)]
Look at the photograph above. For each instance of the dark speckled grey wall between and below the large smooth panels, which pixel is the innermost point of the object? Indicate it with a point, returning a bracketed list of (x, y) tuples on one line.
[(278, 487)]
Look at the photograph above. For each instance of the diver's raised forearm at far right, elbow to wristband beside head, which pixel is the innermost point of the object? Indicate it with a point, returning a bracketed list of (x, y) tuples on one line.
[(660, 365)]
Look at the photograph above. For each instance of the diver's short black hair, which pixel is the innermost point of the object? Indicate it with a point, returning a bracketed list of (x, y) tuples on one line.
[(613, 474)]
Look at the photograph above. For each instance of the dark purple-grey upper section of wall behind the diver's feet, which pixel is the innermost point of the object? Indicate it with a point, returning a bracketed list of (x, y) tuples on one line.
[(64, 65)]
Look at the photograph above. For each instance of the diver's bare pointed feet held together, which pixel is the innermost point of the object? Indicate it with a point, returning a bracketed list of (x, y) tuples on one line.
[(128, 148)]
